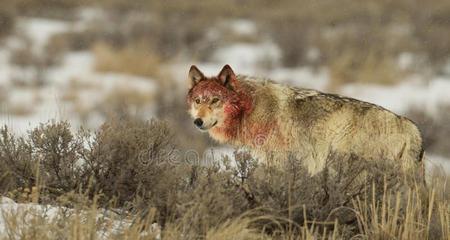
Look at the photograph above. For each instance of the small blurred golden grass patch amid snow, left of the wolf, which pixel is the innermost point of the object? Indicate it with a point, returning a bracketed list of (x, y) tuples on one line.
[(136, 60)]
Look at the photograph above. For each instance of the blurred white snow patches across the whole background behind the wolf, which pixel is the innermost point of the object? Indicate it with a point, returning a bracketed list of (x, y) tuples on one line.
[(74, 87)]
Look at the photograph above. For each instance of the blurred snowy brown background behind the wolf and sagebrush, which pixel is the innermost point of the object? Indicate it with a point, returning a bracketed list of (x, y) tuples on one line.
[(87, 61)]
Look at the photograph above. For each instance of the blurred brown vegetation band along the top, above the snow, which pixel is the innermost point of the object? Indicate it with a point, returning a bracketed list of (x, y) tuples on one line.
[(358, 42)]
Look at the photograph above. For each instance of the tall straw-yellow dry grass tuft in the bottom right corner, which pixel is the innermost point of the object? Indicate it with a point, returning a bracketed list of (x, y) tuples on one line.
[(413, 214)]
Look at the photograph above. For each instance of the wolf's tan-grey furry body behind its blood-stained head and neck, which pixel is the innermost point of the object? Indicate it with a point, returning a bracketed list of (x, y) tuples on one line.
[(312, 125)]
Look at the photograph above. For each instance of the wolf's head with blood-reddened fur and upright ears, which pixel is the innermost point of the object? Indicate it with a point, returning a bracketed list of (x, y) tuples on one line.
[(215, 102)]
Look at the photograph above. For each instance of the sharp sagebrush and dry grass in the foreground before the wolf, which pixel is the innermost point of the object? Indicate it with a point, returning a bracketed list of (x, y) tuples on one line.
[(135, 166)]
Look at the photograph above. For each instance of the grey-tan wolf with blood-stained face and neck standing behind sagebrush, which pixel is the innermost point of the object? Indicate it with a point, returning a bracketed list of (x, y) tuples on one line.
[(273, 120)]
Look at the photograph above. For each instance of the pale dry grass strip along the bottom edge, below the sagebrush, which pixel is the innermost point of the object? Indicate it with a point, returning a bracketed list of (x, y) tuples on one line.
[(413, 215)]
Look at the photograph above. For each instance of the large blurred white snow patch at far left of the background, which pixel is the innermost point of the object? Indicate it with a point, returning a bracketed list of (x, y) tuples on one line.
[(70, 88)]
